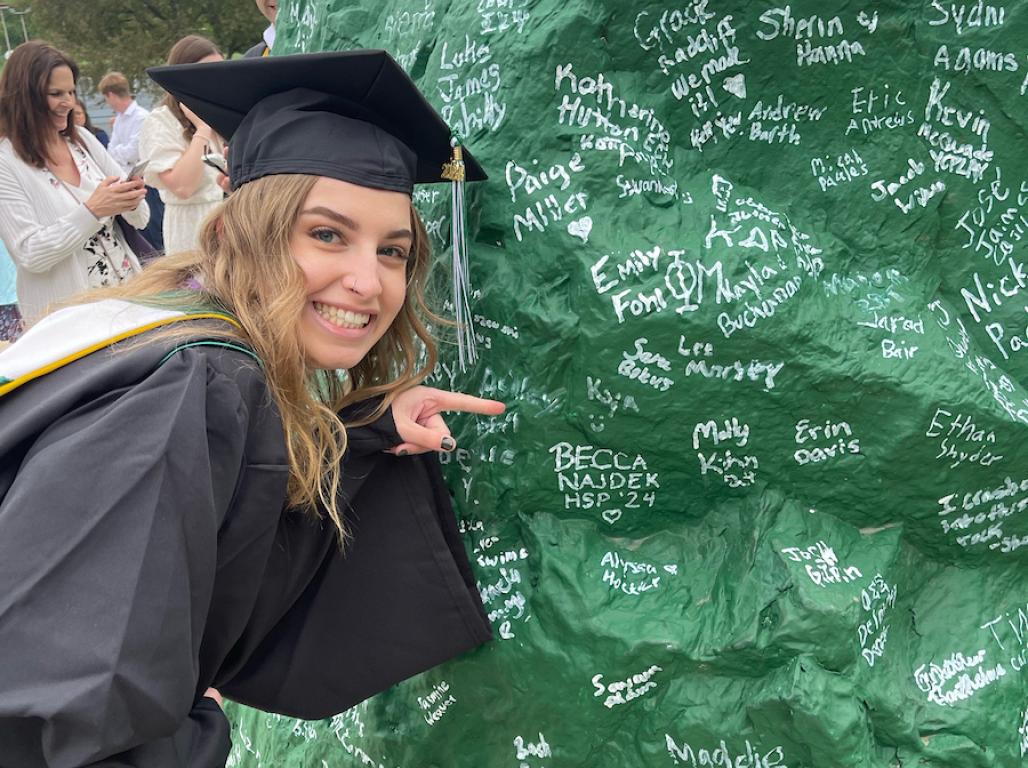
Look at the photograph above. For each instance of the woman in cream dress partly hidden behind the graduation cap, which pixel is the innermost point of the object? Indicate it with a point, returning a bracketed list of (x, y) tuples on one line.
[(186, 157)]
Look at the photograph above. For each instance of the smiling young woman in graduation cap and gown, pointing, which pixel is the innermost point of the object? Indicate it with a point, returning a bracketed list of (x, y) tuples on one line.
[(227, 473)]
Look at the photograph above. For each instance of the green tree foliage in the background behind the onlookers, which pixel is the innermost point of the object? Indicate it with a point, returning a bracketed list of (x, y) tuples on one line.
[(131, 35)]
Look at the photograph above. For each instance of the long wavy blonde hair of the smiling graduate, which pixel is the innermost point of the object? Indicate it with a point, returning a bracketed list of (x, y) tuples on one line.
[(245, 268)]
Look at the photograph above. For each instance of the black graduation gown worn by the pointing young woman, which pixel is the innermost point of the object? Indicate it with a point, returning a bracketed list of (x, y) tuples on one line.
[(145, 556)]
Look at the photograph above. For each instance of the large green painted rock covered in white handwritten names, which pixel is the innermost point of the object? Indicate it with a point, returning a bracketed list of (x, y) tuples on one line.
[(753, 281)]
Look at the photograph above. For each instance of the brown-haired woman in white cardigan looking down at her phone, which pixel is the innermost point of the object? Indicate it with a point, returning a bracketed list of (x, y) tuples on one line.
[(60, 191)]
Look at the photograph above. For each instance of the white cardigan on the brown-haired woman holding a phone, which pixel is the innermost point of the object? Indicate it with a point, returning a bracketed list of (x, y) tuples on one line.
[(46, 229)]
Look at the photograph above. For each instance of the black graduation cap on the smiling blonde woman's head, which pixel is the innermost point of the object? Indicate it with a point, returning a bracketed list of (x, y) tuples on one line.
[(352, 116)]
